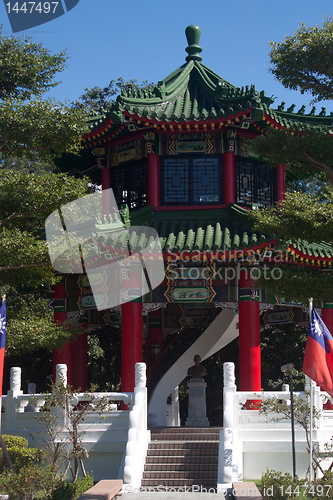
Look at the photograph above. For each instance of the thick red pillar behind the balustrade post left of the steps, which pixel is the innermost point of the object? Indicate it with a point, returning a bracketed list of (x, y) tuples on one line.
[(131, 342)]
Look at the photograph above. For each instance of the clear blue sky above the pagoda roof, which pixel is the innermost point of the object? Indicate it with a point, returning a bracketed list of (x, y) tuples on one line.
[(145, 39)]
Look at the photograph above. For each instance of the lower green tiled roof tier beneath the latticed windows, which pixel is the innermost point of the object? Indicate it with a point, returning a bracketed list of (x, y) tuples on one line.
[(210, 231)]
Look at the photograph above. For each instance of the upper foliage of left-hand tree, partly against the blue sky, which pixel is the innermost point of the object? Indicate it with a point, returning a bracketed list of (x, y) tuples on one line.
[(29, 125)]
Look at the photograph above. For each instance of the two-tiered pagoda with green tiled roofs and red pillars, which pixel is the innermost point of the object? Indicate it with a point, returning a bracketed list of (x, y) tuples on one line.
[(178, 158)]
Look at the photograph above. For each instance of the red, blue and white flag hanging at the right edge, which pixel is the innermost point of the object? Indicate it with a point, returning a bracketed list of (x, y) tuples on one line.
[(318, 358)]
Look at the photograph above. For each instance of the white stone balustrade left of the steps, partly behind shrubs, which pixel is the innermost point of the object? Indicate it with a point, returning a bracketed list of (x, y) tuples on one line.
[(116, 441)]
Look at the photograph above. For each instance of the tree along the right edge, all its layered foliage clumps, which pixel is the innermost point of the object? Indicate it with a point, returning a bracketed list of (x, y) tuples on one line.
[(301, 62)]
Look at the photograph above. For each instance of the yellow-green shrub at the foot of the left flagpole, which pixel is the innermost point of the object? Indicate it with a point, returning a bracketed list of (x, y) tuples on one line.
[(21, 455)]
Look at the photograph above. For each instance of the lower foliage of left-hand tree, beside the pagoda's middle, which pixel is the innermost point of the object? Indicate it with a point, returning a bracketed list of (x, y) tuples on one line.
[(26, 199)]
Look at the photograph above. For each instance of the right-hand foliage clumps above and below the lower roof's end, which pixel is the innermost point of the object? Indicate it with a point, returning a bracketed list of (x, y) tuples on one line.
[(303, 219)]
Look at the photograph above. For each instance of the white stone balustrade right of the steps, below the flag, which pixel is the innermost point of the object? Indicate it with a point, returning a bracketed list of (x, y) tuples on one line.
[(251, 442)]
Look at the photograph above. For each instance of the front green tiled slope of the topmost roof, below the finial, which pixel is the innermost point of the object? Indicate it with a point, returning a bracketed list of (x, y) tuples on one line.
[(192, 92)]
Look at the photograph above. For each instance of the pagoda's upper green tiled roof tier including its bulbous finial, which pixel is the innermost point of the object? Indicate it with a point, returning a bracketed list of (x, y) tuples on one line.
[(192, 97)]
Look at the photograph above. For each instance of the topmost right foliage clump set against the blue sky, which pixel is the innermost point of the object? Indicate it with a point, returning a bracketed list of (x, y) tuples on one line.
[(303, 61)]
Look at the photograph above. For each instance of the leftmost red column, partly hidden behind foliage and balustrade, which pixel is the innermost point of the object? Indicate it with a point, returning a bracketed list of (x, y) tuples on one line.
[(64, 355)]
